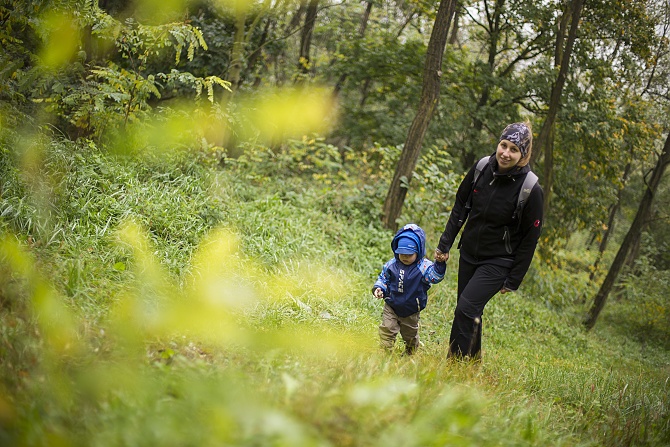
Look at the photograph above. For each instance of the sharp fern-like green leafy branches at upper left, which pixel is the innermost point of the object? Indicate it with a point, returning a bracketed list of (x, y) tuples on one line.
[(113, 96)]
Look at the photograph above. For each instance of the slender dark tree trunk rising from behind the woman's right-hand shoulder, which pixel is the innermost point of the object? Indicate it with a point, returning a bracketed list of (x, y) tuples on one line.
[(545, 138)]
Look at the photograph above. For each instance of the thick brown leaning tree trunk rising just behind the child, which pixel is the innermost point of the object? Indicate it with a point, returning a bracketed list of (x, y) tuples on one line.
[(429, 96)]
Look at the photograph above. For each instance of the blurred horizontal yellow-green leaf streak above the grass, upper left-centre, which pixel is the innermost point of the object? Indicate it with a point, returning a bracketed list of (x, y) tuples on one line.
[(267, 117)]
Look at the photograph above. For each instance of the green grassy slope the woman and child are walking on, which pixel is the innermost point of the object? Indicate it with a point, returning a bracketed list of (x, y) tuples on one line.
[(185, 335)]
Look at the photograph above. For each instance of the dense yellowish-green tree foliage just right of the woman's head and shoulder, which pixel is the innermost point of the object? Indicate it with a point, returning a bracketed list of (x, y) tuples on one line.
[(615, 130)]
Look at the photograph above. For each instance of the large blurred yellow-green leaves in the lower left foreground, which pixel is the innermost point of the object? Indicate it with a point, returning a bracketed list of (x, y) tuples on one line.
[(152, 328)]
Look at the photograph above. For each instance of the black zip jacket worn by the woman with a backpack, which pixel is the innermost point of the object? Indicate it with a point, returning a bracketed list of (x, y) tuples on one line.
[(492, 233)]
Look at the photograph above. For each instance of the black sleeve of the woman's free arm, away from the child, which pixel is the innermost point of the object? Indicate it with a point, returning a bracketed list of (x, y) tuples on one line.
[(531, 227)]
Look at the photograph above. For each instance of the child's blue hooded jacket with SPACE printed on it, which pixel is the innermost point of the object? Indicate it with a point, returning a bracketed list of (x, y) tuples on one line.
[(406, 287)]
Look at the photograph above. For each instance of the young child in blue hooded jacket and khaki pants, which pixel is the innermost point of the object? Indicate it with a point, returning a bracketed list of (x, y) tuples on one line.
[(403, 283)]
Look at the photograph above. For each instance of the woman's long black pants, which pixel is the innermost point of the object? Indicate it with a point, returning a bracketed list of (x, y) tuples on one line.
[(477, 284)]
